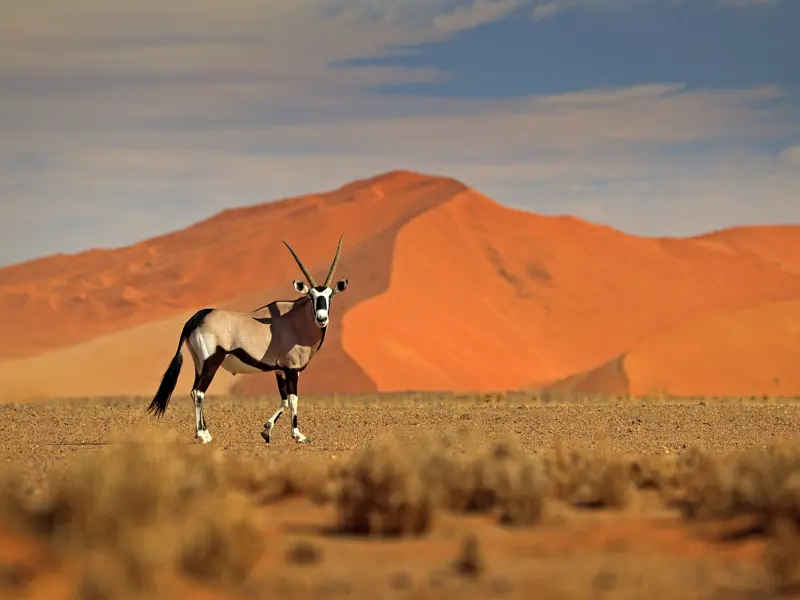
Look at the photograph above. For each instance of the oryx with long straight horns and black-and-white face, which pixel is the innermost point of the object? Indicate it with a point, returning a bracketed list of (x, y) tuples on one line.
[(284, 340)]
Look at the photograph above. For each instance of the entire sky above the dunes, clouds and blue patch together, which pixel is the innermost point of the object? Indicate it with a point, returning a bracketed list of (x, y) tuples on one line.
[(121, 121)]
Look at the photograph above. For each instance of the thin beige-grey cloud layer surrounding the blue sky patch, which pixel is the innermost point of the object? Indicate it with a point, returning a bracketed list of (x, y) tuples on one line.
[(121, 121)]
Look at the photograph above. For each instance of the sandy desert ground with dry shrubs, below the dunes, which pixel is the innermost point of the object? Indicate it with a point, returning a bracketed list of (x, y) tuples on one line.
[(403, 496)]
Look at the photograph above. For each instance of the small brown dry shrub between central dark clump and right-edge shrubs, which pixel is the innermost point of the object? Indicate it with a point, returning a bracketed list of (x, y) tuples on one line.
[(597, 479)]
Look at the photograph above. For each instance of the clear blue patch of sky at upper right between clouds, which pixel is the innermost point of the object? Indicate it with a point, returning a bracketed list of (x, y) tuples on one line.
[(700, 44)]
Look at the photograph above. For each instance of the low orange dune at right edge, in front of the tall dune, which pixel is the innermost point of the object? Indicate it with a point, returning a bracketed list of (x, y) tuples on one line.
[(747, 352)]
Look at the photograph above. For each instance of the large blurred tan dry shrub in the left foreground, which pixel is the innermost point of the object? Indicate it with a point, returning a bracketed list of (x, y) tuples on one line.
[(136, 508)]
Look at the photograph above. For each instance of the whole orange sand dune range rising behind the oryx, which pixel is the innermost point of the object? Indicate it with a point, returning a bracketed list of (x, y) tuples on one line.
[(448, 290)]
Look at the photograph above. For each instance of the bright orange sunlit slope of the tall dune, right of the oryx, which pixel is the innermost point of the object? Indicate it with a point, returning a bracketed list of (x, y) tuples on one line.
[(483, 297)]
